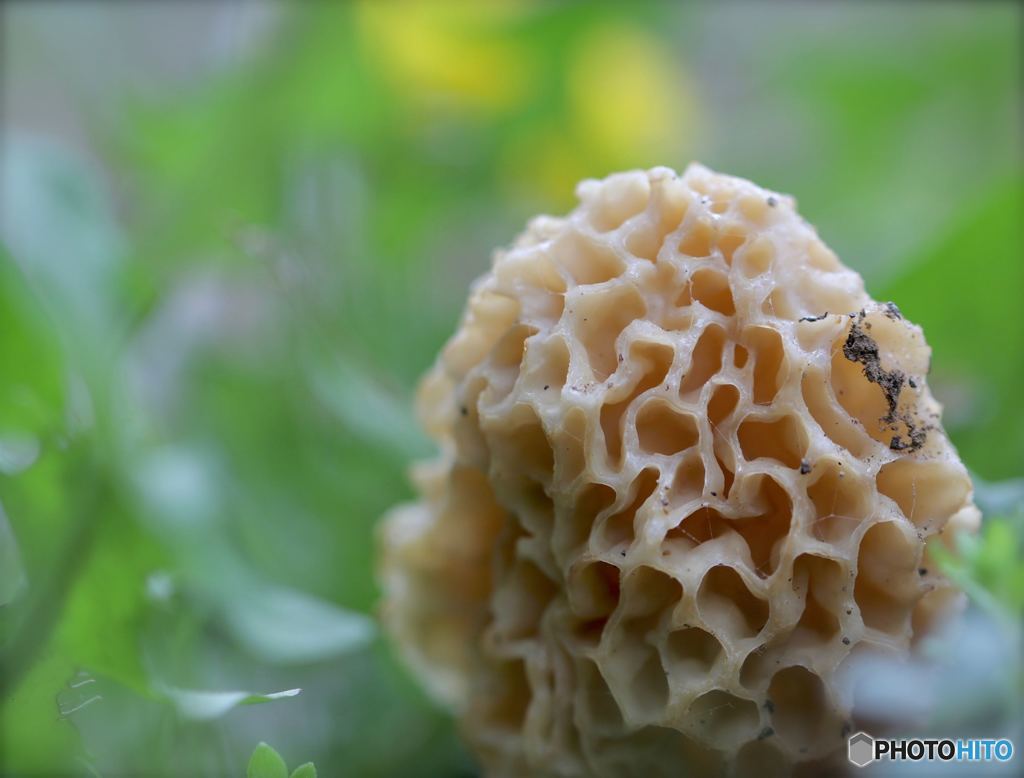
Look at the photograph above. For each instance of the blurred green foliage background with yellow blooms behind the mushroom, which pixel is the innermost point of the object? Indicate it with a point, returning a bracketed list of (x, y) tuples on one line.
[(233, 235)]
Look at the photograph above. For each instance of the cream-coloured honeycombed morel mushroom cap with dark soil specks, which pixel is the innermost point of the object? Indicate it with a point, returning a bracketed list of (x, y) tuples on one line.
[(689, 469)]
